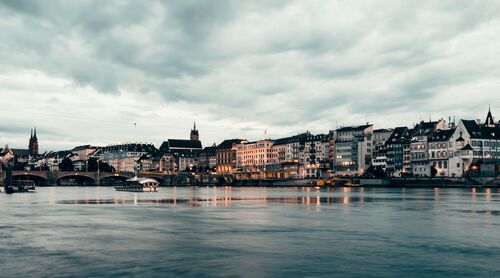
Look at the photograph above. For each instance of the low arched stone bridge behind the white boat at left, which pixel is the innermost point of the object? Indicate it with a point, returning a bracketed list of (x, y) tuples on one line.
[(81, 178)]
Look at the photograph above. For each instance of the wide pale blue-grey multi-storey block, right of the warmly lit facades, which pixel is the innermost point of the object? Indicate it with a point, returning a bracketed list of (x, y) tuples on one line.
[(353, 149)]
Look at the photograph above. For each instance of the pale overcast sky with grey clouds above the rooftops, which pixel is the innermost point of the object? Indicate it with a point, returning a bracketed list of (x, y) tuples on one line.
[(107, 72)]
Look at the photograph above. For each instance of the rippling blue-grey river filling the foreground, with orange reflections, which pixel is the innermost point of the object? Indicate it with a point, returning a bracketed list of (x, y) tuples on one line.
[(236, 231)]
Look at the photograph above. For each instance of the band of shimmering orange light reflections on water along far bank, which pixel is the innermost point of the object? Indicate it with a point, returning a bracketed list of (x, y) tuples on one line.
[(235, 196)]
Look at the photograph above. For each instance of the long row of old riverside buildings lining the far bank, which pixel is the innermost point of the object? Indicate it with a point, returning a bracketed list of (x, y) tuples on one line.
[(429, 148)]
